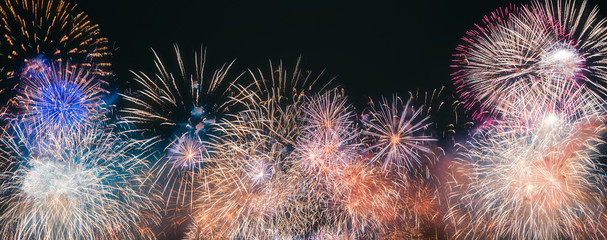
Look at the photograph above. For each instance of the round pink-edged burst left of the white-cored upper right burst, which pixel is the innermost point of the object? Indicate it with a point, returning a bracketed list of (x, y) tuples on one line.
[(497, 58)]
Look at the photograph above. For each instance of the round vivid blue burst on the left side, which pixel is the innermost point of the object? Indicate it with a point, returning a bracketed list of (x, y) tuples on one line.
[(61, 99)]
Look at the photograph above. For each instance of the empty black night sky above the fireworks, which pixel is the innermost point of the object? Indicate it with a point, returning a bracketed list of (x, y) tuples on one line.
[(373, 47)]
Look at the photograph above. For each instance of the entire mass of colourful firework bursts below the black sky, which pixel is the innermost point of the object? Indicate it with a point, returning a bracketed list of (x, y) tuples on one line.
[(281, 154)]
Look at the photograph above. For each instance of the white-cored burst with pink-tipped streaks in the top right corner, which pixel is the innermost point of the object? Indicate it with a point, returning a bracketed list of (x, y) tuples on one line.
[(580, 53)]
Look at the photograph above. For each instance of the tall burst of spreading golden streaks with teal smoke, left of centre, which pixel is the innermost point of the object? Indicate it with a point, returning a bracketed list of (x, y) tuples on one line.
[(177, 112)]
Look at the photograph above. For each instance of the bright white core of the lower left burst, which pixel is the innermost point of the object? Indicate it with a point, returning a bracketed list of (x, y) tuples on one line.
[(56, 180)]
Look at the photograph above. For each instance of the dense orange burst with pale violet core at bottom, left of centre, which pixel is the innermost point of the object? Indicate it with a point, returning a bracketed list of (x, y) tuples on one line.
[(246, 194)]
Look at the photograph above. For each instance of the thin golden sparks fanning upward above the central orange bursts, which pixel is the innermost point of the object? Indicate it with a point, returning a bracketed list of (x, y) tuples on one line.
[(272, 103)]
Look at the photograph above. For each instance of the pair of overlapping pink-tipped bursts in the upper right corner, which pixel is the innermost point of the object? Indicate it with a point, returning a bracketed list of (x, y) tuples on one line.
[(529, 47)]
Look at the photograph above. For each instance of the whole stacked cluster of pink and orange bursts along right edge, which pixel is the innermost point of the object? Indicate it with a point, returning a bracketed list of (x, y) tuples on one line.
[(537, 72)]
